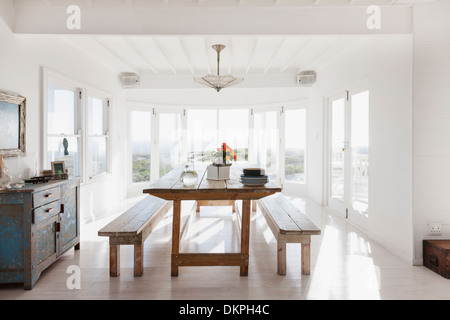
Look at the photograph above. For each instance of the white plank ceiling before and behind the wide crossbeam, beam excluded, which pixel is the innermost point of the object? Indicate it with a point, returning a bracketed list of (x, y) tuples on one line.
[(192, 55)]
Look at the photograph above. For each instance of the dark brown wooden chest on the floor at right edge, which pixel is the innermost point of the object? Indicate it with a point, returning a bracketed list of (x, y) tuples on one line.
[(436, 256)]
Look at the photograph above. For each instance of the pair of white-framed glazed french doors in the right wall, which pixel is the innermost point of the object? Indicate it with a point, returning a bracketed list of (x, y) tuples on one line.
[(348, 154)]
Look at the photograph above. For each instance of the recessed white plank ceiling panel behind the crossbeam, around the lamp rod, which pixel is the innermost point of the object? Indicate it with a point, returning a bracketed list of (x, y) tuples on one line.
[(193, 55)]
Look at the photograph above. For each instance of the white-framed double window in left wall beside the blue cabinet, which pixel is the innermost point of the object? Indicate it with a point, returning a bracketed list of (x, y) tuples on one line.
[(82, 145)]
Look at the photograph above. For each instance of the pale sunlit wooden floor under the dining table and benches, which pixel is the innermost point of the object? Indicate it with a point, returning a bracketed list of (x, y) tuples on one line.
[(345, 265)]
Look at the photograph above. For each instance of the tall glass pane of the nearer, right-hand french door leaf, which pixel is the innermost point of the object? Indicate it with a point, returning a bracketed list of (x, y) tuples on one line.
[(360, 152)]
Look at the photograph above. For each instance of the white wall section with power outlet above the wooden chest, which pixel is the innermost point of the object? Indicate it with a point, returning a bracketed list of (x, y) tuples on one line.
[(431, 121)]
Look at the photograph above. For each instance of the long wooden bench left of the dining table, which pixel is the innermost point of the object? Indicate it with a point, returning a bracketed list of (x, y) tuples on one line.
[(132, 228)]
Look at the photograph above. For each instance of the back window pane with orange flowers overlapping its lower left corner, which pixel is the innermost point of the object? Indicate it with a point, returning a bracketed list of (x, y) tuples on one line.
[(233, 130)]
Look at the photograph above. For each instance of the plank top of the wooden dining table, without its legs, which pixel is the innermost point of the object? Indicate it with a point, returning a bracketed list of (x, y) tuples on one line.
[(170, 187)]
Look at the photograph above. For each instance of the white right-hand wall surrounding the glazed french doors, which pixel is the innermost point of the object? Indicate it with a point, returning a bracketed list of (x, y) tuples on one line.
[(386, 64)]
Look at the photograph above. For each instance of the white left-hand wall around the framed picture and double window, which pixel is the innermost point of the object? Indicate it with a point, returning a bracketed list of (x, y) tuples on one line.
[(21, 60)]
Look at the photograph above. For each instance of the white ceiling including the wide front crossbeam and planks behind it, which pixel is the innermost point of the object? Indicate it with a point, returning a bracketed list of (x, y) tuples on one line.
[(150, 39)]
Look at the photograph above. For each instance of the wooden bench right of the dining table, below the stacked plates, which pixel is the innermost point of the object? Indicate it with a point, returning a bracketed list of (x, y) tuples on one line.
[(288, 225)]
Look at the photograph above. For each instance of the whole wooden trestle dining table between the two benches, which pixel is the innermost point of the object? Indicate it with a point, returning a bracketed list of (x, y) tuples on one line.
[(170, 187)]
